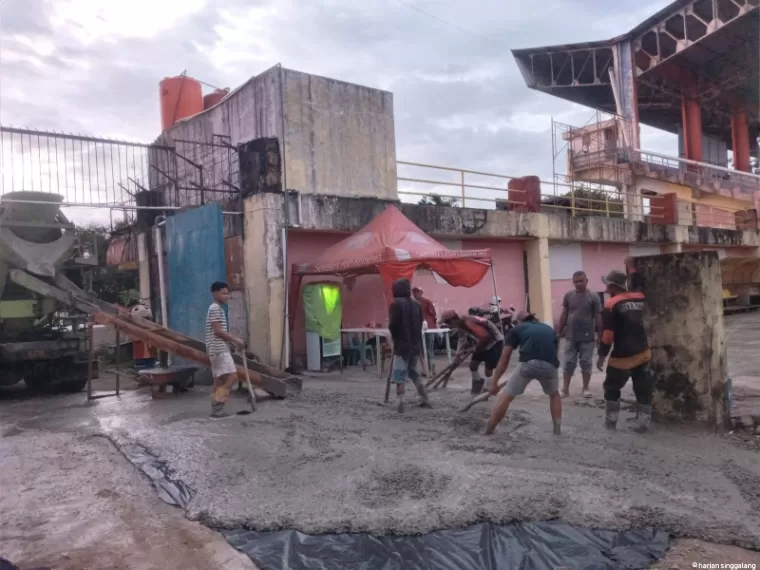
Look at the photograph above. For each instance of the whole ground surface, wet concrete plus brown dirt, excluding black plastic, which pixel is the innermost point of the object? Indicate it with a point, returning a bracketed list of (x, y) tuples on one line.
[(336, 458)]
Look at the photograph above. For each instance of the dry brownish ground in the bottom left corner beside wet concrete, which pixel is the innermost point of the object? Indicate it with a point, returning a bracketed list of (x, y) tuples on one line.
[(72, 502)]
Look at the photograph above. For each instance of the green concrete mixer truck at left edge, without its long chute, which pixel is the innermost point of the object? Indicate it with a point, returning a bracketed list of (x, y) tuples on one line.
[(42, 341)]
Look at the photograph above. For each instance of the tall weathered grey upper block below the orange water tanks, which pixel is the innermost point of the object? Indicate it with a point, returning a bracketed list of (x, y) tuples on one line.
[(338, 137)]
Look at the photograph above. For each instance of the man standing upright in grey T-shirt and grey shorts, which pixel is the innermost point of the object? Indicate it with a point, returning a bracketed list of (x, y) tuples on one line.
[(581, 317)]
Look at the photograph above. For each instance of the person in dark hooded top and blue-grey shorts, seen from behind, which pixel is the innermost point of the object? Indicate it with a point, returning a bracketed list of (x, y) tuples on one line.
[(405, 325)]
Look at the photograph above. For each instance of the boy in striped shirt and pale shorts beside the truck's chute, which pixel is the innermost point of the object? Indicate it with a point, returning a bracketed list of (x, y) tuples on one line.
[(218, 340)]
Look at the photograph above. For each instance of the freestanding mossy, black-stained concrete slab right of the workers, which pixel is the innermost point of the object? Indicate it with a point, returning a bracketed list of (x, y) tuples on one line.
[(686, 334)]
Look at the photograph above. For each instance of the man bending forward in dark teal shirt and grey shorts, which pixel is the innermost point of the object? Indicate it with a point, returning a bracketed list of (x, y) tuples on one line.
[(538, 344)]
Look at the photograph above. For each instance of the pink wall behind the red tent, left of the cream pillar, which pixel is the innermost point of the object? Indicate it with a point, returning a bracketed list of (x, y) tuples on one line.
[(365, 302)]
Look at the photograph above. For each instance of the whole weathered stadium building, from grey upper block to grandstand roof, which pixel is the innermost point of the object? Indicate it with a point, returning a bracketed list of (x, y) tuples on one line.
[(316, 161)]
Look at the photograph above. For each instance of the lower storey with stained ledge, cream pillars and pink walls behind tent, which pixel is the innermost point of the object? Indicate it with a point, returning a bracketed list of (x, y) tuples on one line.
[(323, 220)]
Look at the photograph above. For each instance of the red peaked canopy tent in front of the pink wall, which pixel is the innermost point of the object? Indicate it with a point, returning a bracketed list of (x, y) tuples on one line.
[(393, 246)]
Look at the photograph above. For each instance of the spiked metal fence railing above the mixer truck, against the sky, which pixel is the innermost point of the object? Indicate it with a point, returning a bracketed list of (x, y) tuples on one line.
[(106, 173)]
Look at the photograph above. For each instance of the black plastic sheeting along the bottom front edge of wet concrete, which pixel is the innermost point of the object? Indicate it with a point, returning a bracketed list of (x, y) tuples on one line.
[(523, 546)]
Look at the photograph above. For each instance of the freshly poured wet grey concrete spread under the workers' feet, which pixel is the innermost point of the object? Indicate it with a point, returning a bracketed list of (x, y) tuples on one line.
[(336, 459)]
